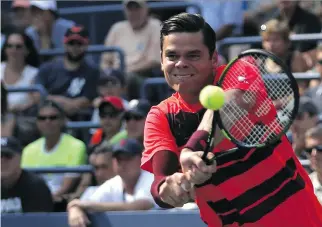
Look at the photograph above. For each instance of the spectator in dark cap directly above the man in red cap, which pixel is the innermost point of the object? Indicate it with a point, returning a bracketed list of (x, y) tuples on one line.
[(110, 84)]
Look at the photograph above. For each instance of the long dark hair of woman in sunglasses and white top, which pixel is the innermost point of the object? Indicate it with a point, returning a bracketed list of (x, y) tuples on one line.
[(32, 58)]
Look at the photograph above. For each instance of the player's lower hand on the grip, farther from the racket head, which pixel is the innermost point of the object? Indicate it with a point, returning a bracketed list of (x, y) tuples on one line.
[(171, 191)]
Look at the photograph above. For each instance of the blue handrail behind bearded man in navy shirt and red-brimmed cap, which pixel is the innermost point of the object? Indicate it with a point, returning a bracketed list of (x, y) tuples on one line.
[(91, 49)]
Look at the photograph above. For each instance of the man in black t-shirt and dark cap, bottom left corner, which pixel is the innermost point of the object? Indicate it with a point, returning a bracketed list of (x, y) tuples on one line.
[(21, 191)]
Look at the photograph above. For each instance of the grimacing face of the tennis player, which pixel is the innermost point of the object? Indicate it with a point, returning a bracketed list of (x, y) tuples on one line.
[(186, 62)]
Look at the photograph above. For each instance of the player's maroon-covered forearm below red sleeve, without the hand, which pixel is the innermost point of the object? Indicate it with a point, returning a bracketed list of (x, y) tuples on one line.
[(165, 163)]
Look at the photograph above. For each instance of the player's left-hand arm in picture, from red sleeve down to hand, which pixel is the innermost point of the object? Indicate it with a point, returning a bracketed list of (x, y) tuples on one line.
[(161, 158)]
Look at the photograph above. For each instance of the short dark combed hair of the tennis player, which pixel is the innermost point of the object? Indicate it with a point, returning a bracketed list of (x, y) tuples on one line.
[(185, 22)]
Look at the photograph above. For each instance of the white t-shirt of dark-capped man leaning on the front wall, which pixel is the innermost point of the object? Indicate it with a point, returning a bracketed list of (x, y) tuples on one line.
[(112, 190)]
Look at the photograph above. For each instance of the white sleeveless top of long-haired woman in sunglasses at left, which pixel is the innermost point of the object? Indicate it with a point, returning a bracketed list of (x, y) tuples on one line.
[(27, 76)]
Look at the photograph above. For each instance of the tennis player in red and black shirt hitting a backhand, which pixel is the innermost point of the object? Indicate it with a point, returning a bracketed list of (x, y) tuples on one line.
[(266, 189)]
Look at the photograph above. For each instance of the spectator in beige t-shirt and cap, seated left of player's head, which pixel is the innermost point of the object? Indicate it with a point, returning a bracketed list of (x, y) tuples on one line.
[(138, 36)]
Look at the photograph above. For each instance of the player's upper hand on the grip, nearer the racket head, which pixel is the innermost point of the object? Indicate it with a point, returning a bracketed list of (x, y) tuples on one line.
[(195, 169)]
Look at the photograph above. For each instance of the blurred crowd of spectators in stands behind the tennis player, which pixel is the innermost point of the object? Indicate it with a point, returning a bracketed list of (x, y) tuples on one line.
[(80, 88)]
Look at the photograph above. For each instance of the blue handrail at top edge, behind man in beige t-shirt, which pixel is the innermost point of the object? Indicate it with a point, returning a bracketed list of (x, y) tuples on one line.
[(119, 7)]
